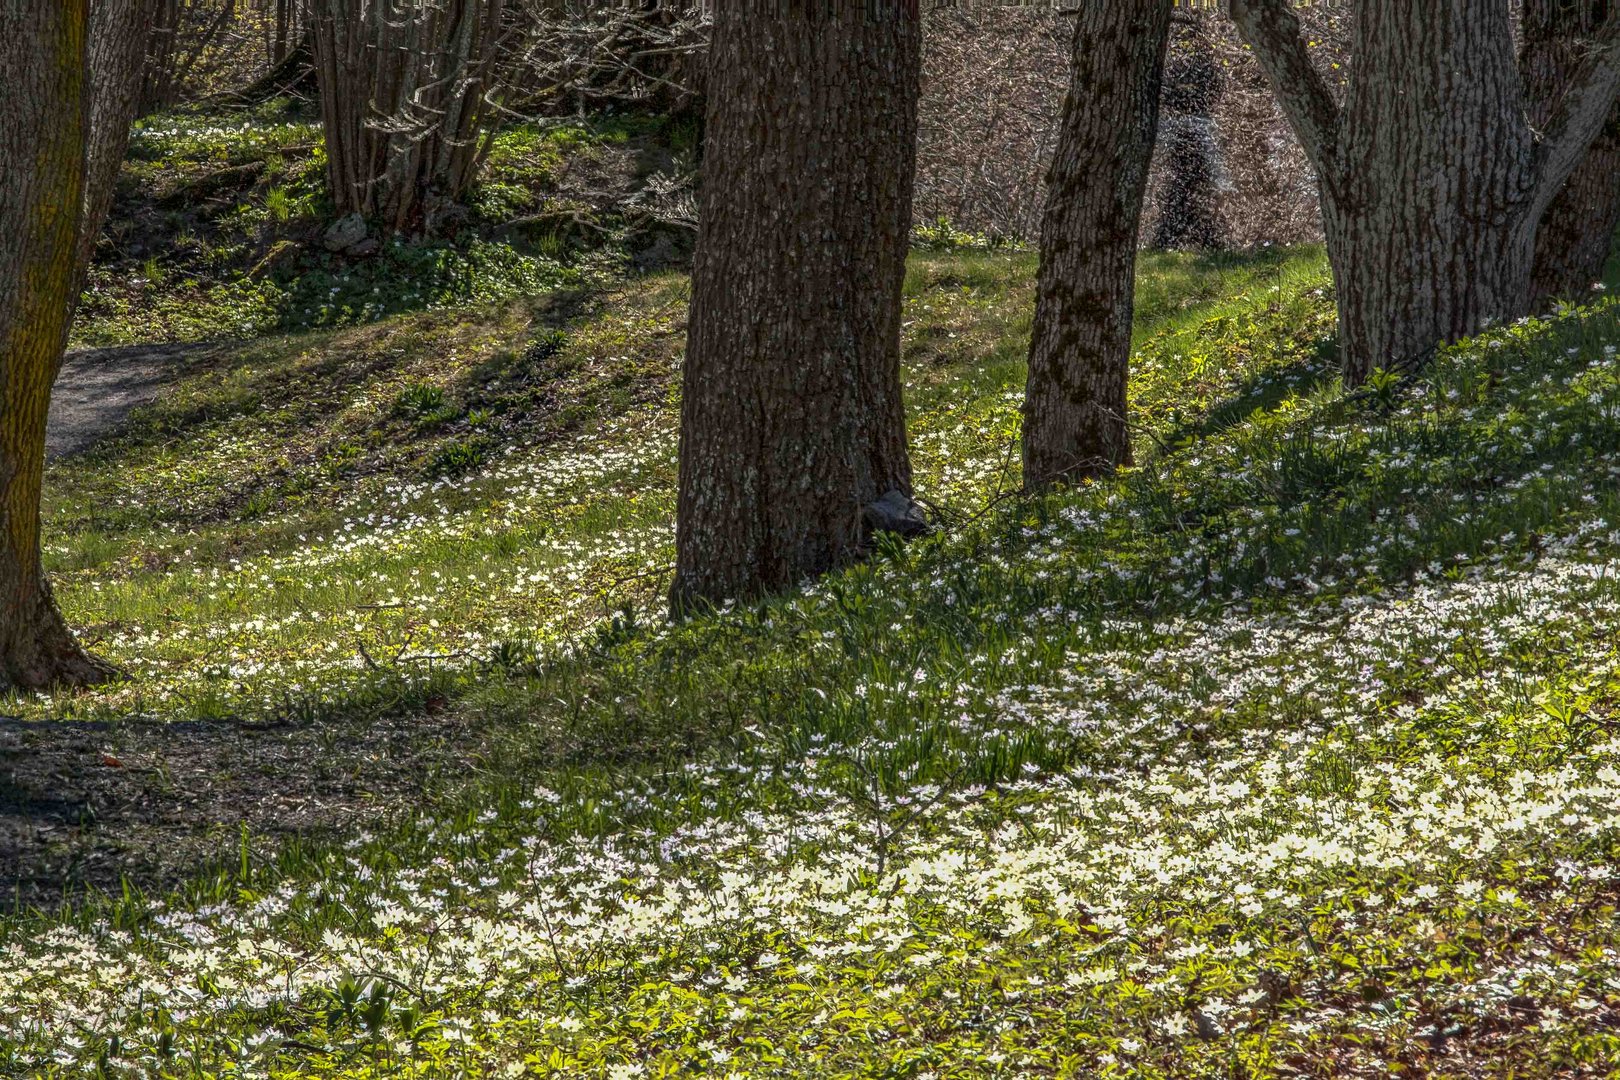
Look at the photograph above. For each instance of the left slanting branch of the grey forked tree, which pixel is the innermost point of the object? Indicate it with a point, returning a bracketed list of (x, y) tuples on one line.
[(1273, 30)]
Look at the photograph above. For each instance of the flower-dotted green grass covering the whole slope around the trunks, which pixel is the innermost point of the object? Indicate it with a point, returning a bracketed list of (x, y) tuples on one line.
[(1289, 752)]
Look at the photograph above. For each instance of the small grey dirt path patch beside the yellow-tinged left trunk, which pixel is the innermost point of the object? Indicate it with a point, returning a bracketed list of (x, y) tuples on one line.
[(100, 388)]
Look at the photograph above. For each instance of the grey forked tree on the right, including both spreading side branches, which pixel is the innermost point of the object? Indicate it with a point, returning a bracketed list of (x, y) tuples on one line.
[(1433, 179)]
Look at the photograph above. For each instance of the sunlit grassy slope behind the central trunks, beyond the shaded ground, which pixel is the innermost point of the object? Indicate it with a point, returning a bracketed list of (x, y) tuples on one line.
[(304, 516)]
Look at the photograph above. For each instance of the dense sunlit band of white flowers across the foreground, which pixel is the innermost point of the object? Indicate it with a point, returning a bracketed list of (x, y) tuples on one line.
[(1281, 831)]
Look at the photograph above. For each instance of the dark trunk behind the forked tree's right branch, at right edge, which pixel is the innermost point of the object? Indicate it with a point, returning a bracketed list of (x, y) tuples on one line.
[(1579, 229)]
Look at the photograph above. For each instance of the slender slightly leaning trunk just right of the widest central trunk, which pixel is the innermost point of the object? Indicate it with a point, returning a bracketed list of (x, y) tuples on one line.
[(1075, 402)]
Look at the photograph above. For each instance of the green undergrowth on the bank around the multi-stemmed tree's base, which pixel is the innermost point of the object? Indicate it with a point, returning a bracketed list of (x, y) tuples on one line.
[(218, 224)]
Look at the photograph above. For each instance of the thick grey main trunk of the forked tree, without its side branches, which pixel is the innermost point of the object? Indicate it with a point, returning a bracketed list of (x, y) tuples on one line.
[(1428, 221)]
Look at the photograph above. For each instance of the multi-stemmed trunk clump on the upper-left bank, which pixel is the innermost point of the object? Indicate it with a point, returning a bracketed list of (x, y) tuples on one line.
[(404, 101)]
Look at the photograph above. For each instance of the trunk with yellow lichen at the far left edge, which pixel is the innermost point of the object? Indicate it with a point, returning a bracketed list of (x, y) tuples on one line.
[(45, 121)]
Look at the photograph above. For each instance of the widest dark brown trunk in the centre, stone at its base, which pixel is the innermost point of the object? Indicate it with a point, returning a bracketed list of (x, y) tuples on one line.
[(791, 419)]
